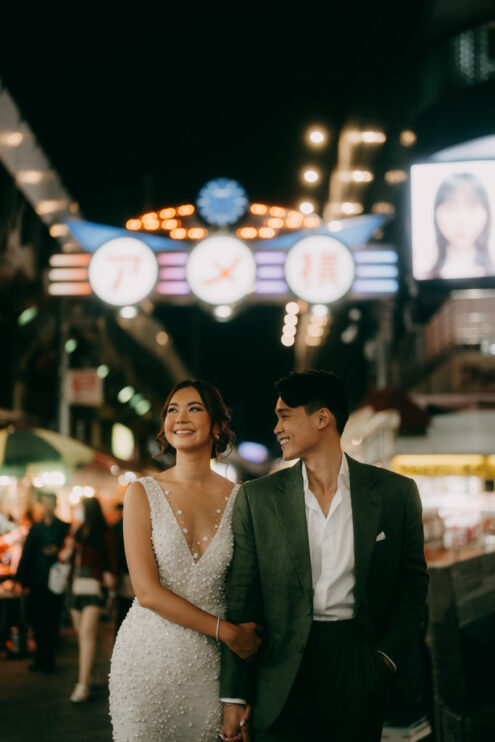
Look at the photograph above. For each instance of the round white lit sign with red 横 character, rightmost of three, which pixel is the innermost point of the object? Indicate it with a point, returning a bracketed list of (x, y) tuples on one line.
[(319, 269)]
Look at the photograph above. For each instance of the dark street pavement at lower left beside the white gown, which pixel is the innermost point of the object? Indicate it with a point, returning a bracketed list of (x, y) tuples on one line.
[(35, 707)]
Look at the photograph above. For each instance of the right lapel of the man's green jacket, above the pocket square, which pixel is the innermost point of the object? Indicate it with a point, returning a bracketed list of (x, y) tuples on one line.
[(366, 509)]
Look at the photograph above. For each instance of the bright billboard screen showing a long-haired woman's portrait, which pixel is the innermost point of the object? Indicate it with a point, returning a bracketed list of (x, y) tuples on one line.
[(452, 209)]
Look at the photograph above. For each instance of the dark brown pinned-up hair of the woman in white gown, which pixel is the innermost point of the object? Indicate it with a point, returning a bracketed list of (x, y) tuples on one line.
[(220, 416)]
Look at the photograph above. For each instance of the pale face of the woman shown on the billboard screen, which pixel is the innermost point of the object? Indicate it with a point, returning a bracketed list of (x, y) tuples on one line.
[(461, 218)]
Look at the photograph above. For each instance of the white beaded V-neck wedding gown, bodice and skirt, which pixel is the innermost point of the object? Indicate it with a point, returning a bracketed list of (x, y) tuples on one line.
[(164, 678)]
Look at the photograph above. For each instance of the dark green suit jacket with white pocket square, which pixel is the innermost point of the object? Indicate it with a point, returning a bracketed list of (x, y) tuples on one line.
[(271, 582)]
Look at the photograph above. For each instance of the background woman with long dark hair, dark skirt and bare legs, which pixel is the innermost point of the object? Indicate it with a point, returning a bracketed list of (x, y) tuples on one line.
[(91, 547)]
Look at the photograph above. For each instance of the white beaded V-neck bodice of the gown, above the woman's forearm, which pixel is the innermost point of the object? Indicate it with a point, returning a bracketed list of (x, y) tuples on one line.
[(202, 581)]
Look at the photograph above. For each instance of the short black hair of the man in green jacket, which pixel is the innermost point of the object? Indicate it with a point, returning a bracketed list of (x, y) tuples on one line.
[(314, 389)]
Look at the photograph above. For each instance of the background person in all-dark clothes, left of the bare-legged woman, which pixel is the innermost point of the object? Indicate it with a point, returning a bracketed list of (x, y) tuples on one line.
[(41, 547)]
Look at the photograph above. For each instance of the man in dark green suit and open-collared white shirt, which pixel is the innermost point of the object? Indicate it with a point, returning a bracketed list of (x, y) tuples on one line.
[(329, 559)]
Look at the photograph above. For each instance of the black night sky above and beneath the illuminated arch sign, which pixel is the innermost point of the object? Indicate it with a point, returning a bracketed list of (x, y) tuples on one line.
[(139, 105)]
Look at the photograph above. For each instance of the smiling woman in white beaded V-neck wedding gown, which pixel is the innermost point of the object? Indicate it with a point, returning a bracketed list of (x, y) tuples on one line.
[(178, 541)]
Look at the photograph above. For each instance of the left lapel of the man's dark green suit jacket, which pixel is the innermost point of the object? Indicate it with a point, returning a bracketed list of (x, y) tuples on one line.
[(291, 511)]
